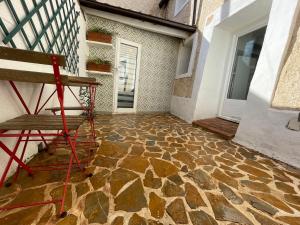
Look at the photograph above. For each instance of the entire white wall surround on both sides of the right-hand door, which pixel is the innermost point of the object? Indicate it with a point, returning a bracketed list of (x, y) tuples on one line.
[(262, 128)]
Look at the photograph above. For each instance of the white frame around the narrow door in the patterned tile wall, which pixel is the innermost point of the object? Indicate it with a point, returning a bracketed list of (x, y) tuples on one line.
[(116, 76)]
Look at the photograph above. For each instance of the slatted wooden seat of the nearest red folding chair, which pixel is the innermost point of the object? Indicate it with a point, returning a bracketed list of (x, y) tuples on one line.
[(41, 122)]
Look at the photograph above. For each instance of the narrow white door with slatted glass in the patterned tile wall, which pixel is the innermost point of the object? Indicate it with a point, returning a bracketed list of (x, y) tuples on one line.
[(126, 79)]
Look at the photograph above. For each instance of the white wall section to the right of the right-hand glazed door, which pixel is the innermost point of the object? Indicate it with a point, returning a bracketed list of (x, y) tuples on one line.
[(263, 128)]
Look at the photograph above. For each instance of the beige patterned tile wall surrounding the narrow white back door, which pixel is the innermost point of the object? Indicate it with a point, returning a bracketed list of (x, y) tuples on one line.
[(158, 66)]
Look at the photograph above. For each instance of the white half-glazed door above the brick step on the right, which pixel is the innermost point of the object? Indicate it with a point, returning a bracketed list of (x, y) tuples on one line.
[(247, 47)]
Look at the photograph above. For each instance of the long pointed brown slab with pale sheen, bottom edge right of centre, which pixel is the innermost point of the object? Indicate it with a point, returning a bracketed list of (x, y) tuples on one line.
[(224, 211)]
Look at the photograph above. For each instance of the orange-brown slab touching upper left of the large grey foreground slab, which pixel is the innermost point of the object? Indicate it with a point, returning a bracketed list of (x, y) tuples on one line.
[(119, 178)]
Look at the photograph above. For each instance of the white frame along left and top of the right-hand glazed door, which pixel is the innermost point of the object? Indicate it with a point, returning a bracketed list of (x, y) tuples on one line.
[(230, 63)]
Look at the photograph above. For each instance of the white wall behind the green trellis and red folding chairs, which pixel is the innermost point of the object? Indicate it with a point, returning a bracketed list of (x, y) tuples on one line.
[(10, 105)]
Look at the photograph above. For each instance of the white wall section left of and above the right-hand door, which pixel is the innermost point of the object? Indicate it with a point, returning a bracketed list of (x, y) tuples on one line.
[(207, 91)]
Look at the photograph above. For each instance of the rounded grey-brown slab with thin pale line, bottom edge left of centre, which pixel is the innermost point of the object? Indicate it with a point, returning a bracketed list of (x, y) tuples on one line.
[(96, 207)]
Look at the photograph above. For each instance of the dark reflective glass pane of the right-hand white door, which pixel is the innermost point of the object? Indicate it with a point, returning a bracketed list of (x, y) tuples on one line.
[(245, 61)]
